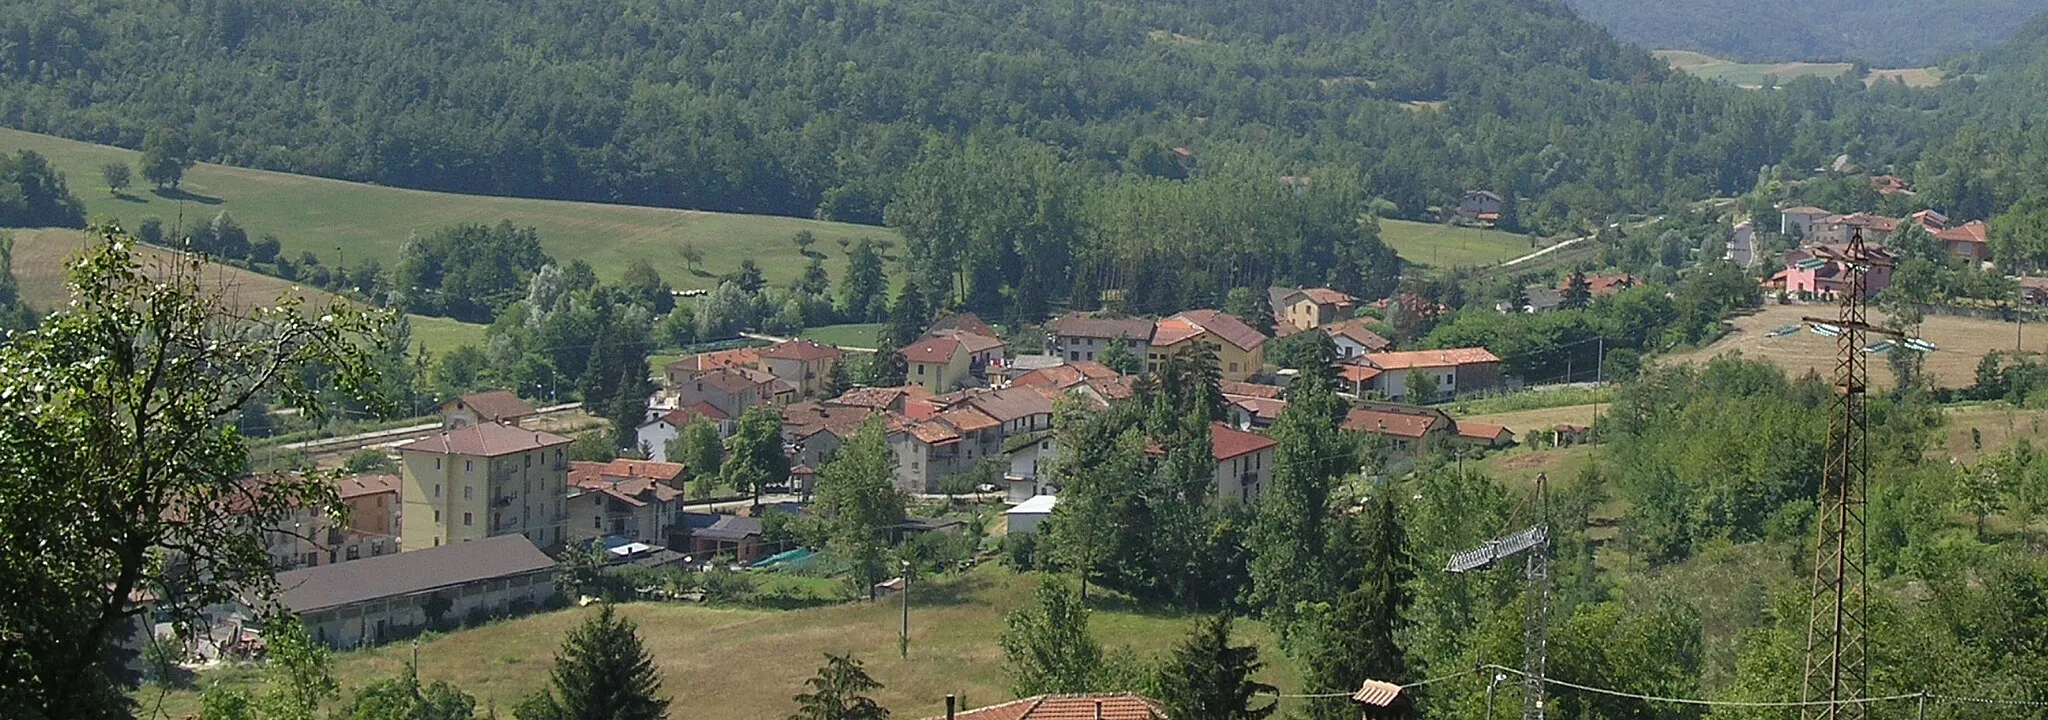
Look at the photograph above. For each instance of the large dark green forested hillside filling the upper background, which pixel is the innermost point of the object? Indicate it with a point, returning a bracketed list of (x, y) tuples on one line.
[(818, 107)]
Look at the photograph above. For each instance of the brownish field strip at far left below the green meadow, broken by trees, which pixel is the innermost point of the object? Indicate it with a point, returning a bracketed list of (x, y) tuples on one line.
[(42, 255)]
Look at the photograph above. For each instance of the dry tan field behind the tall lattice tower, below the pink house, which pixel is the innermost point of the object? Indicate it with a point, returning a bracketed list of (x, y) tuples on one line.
[(1961, 341)]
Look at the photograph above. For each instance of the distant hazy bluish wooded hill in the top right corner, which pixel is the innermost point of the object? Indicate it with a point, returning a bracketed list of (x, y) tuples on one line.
[(1893, 34)]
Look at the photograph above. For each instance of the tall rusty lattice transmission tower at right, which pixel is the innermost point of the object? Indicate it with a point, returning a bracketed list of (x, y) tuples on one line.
[(1838, 658)]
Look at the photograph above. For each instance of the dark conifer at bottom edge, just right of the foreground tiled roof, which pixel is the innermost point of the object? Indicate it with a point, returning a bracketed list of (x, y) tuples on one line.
[(1211, 680)]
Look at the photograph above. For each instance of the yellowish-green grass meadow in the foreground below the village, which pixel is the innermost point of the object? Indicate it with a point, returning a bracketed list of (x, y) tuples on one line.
[(746, 664)]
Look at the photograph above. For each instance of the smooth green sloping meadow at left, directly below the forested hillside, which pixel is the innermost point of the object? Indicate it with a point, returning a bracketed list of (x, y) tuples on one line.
[(349, 222)]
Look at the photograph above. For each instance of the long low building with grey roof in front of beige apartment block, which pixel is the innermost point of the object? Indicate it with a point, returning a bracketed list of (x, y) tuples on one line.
[(376, 600)]
